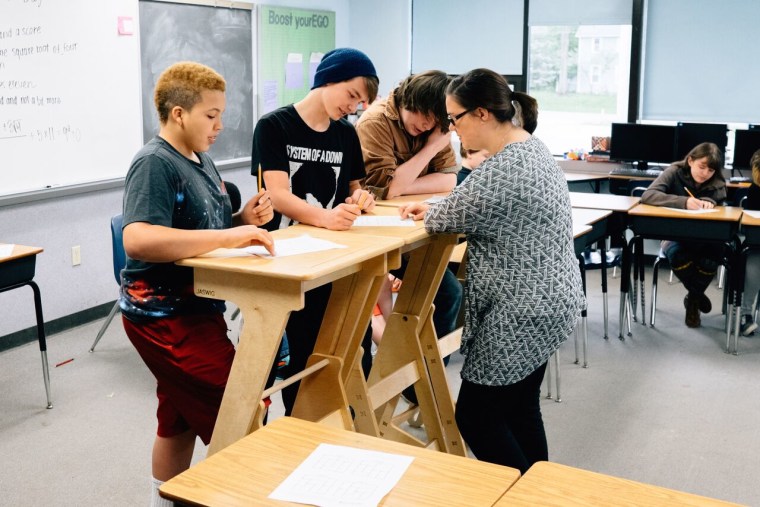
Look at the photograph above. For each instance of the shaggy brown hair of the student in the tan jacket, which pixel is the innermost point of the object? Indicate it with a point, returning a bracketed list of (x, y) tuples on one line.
[(425, 93)]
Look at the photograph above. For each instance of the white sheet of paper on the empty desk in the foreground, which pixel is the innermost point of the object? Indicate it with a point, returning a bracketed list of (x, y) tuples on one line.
[(339, 476)]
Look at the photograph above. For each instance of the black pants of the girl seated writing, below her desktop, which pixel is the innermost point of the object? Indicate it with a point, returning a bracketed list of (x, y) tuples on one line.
[(695, 264)]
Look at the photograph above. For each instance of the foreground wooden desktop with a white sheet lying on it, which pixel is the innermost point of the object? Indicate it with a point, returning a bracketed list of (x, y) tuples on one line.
[(246, 472)]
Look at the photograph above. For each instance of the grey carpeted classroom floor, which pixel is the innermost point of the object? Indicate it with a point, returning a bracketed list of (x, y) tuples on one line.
[(667, 406)]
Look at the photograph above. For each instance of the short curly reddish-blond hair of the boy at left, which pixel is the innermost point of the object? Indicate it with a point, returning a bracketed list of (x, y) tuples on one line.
[(181, 85)]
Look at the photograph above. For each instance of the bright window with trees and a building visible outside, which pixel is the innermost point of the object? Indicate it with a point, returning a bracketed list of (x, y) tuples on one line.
[(578, 69)]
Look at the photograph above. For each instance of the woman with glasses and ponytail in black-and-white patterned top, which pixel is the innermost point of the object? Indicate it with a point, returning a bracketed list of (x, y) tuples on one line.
[(523, 292)]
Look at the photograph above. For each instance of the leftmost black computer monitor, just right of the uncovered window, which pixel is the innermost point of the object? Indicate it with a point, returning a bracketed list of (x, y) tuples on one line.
[(641, 143)]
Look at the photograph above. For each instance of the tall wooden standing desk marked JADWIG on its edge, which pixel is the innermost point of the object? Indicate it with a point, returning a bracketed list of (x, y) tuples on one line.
[(266, 291)]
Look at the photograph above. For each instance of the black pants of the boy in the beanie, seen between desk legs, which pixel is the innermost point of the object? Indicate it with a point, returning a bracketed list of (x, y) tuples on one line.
[(302, 330)]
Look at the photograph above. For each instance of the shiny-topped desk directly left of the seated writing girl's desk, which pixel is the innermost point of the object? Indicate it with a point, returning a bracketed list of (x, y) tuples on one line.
[(616, 225)]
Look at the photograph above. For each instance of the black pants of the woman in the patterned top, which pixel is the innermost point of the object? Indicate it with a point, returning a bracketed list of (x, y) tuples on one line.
[(503, 424)]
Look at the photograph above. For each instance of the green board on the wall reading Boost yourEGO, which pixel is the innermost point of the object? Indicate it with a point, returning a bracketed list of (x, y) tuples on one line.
[(290, 44)]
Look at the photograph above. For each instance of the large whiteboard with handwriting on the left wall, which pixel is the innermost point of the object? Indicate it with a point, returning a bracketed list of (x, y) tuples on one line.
[(69, 92)]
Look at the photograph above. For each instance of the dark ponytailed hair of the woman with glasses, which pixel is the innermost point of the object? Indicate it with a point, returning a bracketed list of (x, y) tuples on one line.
[(489, 90)]
